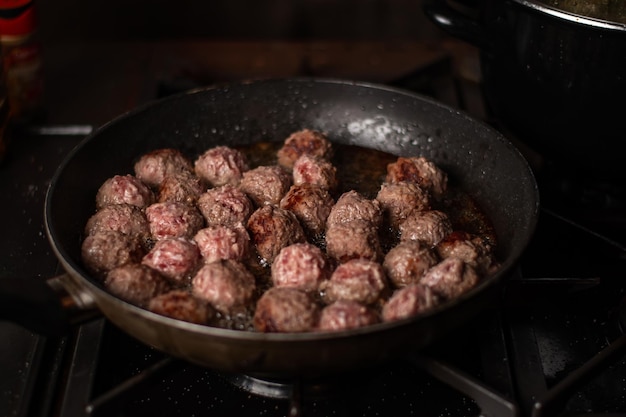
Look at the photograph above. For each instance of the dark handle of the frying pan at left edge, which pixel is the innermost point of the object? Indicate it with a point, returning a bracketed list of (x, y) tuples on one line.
[(47, 307)]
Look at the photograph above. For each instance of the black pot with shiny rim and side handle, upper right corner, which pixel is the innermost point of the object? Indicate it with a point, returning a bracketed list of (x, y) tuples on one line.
[(554, 79)]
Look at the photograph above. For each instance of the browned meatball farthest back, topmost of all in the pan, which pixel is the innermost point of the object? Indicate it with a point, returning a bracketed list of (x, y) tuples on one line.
[(304, 142)]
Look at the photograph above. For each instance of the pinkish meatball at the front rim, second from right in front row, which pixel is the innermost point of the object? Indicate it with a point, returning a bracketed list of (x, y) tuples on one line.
[(346, 314)]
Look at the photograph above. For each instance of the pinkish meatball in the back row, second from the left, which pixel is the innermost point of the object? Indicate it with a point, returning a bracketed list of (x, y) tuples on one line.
[(221, 165)]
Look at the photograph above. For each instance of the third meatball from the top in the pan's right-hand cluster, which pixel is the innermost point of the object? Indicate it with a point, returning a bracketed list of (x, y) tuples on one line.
[(428, 227)]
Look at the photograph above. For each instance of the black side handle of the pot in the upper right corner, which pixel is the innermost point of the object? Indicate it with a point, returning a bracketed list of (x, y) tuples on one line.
[(456, 22)]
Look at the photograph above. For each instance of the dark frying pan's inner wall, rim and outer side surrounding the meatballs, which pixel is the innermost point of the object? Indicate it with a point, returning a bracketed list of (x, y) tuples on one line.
[(477, 158)]
